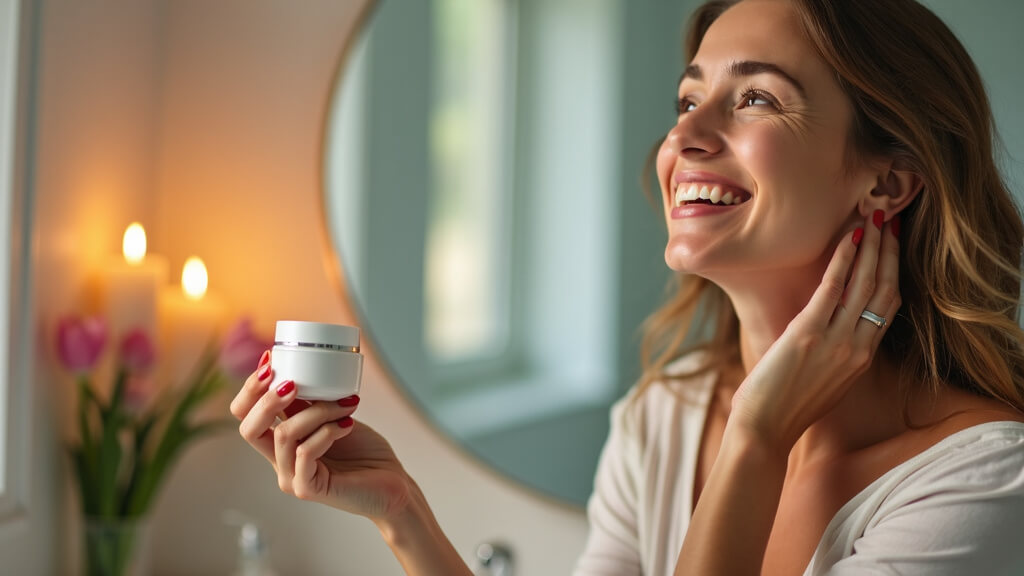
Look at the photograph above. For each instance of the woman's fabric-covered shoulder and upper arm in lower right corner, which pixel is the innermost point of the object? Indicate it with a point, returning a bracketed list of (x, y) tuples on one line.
[(961, 501)]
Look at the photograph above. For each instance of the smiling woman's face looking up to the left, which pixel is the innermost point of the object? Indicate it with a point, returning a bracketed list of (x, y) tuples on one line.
[(760, 117)]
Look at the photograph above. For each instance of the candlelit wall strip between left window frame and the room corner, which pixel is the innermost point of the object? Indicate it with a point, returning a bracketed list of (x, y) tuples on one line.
[(95, 149)]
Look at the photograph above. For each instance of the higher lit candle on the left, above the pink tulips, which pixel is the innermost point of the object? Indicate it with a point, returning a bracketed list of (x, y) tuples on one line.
[(133, 286)]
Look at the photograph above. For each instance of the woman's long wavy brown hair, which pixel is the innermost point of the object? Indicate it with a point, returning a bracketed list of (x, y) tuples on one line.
[(919, 99)]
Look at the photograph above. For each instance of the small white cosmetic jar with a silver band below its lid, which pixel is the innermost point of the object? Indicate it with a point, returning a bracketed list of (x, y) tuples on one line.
[(323, 360)]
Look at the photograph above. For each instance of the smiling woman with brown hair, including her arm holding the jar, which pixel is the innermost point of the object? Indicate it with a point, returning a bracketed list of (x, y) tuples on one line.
[(846, 152)]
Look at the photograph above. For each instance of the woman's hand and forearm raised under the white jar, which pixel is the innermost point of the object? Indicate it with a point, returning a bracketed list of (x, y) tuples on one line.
[(321, 455)]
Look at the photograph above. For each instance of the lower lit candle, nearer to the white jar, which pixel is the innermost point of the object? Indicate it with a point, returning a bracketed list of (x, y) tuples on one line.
[(192, 318)]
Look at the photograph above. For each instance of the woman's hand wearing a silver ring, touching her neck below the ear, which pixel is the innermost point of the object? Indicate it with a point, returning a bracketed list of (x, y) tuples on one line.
[(812, 366)]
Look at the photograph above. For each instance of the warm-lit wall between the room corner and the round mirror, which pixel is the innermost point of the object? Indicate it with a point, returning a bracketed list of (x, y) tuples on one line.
[(245, 91)]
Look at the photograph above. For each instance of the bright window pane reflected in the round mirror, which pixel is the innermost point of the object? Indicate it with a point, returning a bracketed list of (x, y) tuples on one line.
[(468, 251)]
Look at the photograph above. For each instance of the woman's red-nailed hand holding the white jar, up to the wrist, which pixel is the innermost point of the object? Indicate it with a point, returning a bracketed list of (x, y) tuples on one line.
[(319, 451)]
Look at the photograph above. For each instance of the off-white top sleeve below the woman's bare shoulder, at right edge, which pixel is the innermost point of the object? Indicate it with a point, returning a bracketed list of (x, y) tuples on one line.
[(959, 514)]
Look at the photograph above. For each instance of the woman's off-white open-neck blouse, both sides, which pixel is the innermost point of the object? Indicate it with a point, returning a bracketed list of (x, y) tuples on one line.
[(956, 509)]
